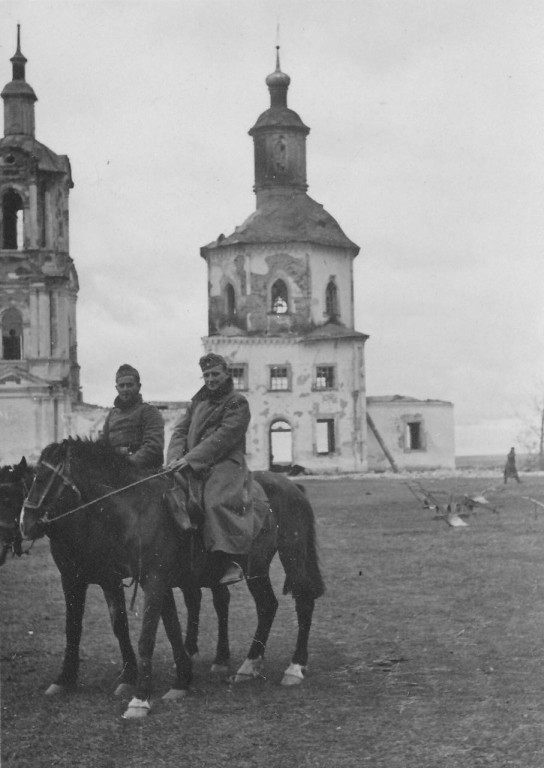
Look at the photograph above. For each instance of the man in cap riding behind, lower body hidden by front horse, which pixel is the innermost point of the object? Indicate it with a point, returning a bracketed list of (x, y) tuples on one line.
[(134, 428)]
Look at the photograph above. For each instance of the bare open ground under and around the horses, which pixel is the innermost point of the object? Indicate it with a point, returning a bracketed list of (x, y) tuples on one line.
[(426, 651)]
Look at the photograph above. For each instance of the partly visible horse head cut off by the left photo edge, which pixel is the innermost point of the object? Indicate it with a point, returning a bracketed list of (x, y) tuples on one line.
[(15, 480)]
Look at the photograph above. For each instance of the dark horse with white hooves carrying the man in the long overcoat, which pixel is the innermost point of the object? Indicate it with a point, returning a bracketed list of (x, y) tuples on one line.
[(130, 534)]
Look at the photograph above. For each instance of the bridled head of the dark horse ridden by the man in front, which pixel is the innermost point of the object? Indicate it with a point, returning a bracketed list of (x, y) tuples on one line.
[(53, 490)]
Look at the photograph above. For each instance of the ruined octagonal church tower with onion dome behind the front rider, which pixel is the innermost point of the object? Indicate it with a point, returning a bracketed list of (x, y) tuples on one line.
[(281, 310)]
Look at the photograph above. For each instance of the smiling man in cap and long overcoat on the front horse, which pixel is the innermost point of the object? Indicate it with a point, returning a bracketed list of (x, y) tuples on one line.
[(207, 452)]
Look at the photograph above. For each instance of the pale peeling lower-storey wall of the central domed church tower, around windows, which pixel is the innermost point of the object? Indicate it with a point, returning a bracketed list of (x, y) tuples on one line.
[(302, 405)]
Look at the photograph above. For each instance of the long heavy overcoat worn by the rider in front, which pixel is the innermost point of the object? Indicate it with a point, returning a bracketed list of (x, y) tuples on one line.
[(210, 436)]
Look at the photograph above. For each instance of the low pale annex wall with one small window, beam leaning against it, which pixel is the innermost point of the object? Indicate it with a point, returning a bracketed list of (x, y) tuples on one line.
[(437, 428)]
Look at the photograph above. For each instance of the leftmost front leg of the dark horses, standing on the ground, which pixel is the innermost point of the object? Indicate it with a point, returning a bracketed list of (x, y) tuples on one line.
[(74, 597)]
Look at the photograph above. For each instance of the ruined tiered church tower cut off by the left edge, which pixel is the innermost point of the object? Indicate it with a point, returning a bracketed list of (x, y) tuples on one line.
[(39, 372)]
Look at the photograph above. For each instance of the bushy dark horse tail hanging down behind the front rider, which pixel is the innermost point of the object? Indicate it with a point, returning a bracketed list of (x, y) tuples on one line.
[(297, 541)]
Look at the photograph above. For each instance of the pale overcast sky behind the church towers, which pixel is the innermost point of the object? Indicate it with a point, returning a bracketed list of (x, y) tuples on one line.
[(426, 144)]
